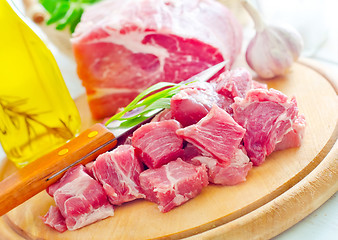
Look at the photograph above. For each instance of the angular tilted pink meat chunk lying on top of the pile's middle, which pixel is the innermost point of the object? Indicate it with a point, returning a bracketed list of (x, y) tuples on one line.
[(217, 133)]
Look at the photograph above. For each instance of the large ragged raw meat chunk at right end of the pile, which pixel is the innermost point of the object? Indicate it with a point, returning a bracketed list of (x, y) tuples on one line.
[(267, 115)]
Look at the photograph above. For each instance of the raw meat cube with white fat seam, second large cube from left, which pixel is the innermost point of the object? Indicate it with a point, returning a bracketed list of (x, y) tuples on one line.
[(118, 171)]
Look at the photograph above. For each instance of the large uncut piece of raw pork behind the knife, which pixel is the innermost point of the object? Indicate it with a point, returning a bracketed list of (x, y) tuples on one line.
[(122, 47)]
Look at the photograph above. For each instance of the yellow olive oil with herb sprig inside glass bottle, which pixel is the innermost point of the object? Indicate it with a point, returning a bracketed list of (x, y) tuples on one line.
[(37, 113)]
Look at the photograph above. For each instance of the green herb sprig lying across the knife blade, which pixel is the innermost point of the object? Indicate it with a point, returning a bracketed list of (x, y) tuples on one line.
[(147, 101)]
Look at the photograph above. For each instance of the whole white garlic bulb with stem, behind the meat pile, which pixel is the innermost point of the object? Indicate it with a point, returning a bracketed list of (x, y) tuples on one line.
[(273, 49)]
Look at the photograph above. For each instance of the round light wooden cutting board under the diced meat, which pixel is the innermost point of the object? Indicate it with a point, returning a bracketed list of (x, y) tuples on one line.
[(286, 188)]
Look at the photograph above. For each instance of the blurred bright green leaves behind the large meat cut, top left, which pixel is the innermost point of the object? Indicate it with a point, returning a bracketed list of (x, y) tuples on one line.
[(65, 12)]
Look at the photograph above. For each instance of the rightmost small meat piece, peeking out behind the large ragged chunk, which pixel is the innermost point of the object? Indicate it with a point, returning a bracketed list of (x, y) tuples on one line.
[(294, 137)]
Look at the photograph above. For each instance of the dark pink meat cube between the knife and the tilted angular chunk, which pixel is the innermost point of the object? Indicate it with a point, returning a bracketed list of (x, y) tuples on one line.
[(156, 143)]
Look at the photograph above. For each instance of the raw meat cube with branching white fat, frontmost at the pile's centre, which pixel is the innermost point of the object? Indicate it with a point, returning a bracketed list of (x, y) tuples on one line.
[(173, 184)]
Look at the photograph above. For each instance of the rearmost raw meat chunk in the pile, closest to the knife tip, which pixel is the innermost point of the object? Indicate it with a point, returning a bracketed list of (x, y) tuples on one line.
[(234, 83)]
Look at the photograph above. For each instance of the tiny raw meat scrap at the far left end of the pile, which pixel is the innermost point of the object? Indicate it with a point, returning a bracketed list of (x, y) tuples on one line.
[(54, 219)]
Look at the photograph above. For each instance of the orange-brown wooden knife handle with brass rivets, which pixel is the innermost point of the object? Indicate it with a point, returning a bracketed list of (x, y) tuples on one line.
[(38, 175)]
